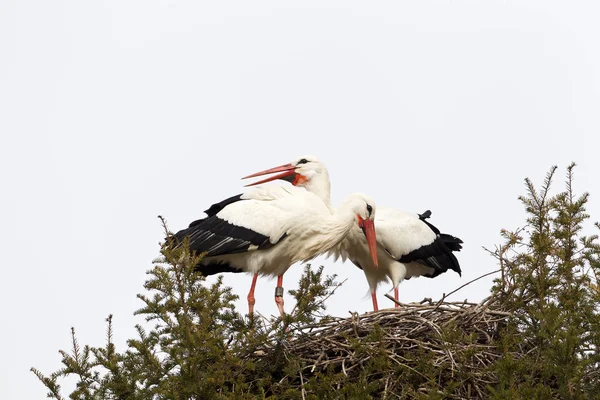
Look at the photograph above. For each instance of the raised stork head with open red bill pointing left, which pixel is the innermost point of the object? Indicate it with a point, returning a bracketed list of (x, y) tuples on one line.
[(304, 171)]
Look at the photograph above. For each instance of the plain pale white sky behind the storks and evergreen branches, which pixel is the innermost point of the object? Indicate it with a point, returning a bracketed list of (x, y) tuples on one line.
[(113, 112)]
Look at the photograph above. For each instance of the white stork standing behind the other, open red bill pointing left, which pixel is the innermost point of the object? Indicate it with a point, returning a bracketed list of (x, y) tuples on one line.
[(409, 246)]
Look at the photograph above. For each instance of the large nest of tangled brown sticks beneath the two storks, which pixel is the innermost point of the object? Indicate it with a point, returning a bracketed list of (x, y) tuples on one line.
[(413, 351)]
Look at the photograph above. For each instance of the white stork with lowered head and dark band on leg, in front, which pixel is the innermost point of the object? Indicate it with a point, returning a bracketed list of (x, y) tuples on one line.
[(267, 230)]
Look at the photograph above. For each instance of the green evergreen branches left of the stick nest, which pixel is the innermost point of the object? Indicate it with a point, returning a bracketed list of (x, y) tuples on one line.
[(199, 346)]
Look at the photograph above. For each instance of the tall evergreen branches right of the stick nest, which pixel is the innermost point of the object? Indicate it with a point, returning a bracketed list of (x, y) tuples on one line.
[(549, 284)]
